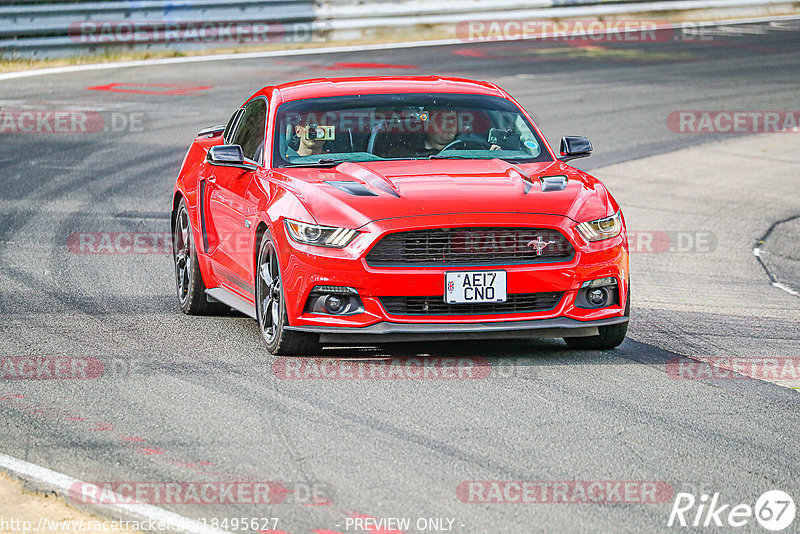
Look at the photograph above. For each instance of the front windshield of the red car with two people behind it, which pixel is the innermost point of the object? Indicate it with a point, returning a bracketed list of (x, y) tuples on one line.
[(328, 131)]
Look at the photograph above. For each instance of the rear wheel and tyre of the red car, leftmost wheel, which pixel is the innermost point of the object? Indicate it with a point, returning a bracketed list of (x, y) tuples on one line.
[(192, 297)]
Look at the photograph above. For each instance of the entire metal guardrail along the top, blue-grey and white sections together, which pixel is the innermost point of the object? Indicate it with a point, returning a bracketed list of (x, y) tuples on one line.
[(51, 30)]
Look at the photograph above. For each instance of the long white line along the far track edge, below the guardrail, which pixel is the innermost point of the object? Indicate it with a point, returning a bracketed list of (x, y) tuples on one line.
[(339, 49)]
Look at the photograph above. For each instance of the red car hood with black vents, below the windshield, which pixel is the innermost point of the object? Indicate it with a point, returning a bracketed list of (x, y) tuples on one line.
[(354, 194)]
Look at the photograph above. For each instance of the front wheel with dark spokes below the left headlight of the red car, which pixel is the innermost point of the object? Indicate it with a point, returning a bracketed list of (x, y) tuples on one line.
[(271, 306)]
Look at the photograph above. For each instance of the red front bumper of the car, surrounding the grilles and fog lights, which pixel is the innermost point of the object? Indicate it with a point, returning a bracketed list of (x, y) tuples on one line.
[(306, 267)]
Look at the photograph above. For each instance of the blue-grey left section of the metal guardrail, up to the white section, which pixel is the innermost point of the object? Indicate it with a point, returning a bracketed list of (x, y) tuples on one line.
[(59, 30)]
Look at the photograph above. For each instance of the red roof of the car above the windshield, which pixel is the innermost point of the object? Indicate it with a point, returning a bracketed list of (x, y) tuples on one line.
[(321, 87)]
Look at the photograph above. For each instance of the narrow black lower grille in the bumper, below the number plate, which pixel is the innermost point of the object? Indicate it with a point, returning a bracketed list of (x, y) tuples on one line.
[(516, 303)]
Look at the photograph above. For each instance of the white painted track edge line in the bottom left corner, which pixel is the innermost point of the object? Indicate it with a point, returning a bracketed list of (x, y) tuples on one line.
[(61, 484)]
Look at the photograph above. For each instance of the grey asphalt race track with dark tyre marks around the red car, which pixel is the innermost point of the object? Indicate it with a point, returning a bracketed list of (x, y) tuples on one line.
[(197, 399)]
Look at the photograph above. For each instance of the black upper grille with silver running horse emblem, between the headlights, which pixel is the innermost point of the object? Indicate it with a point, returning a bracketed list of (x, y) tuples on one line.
[(471, 246)]
